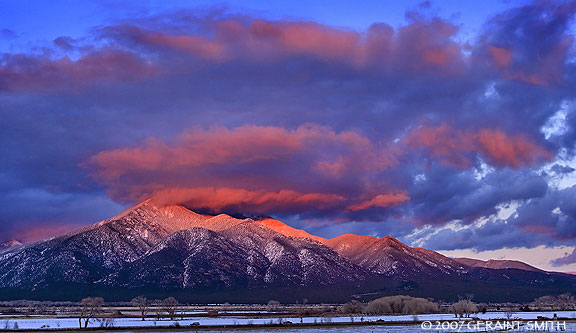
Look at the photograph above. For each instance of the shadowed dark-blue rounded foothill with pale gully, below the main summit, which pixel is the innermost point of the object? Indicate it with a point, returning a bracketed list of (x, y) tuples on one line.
[(195, 258)]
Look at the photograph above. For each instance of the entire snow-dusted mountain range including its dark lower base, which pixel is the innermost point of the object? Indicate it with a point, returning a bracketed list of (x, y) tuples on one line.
[(160, 250)]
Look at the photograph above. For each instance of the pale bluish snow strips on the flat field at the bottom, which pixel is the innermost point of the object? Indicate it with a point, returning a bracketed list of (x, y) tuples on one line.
[(56, 323)]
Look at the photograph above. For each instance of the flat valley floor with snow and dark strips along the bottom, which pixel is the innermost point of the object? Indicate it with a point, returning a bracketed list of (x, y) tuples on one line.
[(251, 322)]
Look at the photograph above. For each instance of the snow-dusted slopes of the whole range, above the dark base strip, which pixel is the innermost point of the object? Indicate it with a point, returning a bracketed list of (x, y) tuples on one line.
[(171, 247)]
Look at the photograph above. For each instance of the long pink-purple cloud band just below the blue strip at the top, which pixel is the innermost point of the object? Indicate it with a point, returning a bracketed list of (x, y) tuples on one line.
[(422, 45)]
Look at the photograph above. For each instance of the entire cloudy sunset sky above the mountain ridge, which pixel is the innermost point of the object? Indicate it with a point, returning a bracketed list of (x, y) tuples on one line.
[(449, 125)]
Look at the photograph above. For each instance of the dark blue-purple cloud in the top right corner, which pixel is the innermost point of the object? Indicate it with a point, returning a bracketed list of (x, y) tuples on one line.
[(530, 43)]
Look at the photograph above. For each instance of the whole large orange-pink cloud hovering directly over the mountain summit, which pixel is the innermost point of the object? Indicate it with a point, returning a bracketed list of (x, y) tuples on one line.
[(255, 168)]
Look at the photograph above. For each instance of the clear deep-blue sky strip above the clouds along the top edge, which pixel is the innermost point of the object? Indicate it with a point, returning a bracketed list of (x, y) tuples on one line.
[(36, 22)]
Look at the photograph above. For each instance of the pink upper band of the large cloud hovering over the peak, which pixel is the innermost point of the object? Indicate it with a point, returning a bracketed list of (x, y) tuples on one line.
[(248, 144)]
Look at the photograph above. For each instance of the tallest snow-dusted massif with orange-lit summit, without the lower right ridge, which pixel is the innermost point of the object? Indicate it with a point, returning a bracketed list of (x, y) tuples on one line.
[(125, 251)]
